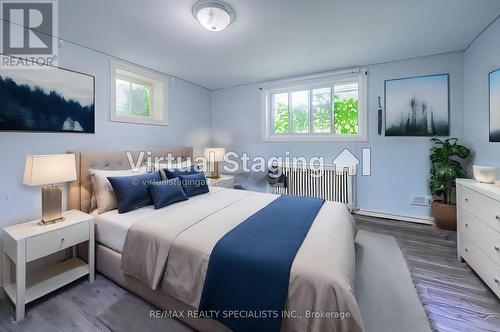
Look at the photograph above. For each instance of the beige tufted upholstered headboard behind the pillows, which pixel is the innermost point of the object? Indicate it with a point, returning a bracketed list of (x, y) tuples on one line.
[(80, 191)]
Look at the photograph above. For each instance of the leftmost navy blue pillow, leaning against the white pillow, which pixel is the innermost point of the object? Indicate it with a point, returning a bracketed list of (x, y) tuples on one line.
[(132, 191)]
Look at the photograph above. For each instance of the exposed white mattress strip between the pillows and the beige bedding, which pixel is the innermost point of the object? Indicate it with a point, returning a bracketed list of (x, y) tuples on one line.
[(111, 227)]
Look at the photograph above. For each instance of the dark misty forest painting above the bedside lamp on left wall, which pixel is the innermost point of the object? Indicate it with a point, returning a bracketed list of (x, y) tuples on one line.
[(47, 100)]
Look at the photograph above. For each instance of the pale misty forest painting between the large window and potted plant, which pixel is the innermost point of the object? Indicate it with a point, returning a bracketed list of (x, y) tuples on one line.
[(417, 106)]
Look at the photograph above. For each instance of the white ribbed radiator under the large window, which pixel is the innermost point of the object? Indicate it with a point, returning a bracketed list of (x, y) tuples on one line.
[(328, 183)]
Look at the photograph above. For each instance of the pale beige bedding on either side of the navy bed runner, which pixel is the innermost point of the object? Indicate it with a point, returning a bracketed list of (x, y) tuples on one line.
[(170, 249)]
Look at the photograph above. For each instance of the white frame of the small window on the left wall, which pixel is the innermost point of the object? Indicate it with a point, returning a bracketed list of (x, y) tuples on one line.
[(158, 85)]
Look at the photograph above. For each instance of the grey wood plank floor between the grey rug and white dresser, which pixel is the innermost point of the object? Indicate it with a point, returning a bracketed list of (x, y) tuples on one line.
[(454, 297)]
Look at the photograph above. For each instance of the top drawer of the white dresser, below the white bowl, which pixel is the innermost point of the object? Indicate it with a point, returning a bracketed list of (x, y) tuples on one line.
[(484, 208)]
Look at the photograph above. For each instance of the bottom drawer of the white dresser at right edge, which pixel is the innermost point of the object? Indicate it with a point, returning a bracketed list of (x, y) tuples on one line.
[(484, 266)]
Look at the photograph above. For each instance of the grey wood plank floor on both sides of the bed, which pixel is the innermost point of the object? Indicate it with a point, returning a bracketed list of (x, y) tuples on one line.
[(454, 298)]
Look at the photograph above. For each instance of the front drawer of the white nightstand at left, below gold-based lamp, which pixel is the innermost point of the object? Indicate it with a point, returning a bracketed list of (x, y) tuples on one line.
[(50, 242)]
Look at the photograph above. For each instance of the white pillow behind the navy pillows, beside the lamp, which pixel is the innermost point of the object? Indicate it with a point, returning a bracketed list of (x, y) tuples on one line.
[(102, 189)]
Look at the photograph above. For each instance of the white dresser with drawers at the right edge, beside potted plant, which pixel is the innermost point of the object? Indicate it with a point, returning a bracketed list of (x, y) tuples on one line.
[(478, 229)]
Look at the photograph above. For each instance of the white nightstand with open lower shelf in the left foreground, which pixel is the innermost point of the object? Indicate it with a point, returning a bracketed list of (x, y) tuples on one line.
[(23, 243)]
